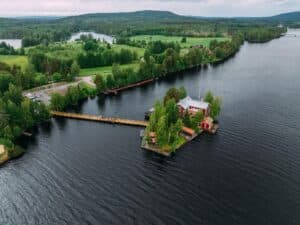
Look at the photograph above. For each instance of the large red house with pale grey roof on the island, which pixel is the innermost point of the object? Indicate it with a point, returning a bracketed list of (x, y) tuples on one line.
[(193, 106)]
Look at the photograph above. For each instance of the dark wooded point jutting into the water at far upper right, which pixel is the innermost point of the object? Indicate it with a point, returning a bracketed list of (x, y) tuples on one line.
[(263, 34)]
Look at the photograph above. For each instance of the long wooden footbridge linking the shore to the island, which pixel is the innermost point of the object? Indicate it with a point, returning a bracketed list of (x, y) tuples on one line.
[(138, 123)]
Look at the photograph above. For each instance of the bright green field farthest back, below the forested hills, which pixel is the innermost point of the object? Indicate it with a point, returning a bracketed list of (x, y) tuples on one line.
[(191, 41)]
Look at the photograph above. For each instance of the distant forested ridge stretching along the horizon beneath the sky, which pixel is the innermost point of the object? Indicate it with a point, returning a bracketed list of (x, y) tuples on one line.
[(37, 30)]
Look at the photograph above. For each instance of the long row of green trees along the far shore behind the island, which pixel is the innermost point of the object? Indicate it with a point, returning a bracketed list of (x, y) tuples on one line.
[(170, 61)]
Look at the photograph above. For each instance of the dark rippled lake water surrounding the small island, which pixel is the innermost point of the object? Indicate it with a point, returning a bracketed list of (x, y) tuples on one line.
[(77, 172)]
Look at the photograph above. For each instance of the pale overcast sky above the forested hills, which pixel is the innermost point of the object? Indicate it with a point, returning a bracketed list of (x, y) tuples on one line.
[(185, 7)]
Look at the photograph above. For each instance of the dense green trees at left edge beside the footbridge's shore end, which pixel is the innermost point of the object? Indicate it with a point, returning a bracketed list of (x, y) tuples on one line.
[(17, 113)]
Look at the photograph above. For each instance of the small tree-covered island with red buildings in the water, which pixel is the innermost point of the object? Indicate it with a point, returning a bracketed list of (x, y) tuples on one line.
[(179, 119)]
